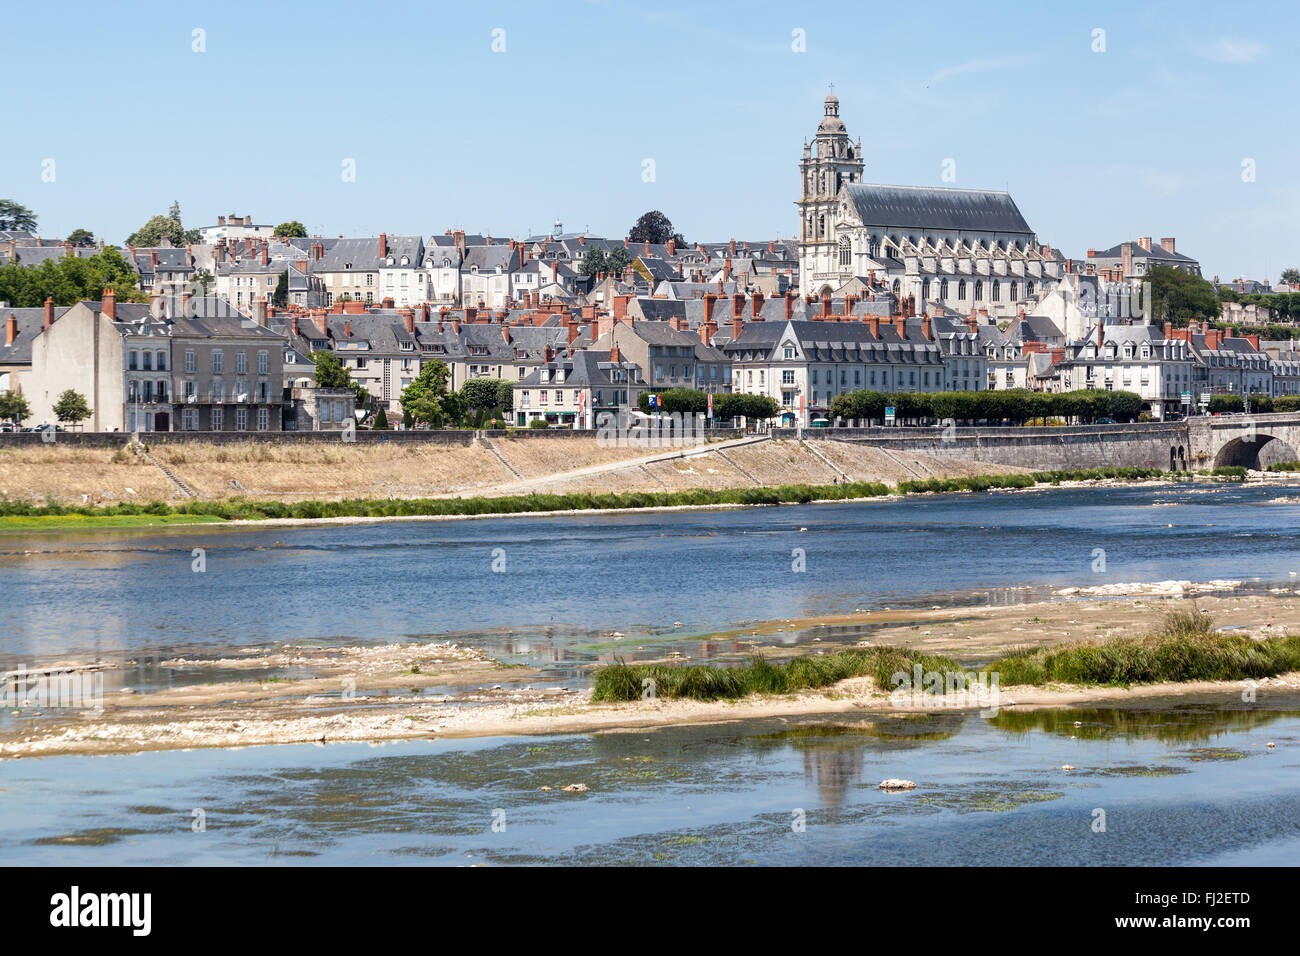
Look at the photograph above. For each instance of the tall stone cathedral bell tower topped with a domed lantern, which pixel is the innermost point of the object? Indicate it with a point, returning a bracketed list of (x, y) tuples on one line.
[(830, 163)]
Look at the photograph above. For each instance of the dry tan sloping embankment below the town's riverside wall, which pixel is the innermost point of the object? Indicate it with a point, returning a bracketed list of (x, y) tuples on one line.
[(337, 470)]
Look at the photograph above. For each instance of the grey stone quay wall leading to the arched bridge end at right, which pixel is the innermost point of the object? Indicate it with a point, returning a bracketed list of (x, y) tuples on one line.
[(1254, 442)]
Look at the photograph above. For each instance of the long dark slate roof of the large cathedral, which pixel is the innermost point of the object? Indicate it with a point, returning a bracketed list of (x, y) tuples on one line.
[(944, 210)]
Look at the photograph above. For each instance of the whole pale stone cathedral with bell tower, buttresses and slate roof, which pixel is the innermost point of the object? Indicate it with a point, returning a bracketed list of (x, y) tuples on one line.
[(954, 249)]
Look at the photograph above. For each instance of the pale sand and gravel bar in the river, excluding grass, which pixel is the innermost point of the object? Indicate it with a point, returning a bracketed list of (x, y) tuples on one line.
[(402, 691)]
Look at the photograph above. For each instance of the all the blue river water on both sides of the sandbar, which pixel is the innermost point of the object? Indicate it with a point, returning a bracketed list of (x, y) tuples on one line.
[(1191, 785)]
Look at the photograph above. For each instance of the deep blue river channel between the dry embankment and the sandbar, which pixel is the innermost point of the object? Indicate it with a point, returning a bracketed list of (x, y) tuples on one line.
[(567, 581)]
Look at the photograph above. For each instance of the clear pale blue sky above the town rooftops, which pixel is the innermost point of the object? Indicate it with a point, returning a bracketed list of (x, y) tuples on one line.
[(1104, 122)]
